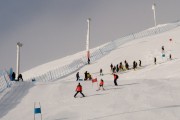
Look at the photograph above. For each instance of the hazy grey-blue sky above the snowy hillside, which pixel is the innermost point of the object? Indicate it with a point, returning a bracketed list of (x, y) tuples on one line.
[(52, 29)]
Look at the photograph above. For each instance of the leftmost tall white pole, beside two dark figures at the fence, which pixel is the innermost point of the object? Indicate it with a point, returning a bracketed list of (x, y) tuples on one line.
[(18, 59)]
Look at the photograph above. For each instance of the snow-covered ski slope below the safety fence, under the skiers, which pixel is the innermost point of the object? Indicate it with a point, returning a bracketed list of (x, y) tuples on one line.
[(149, 93)]
